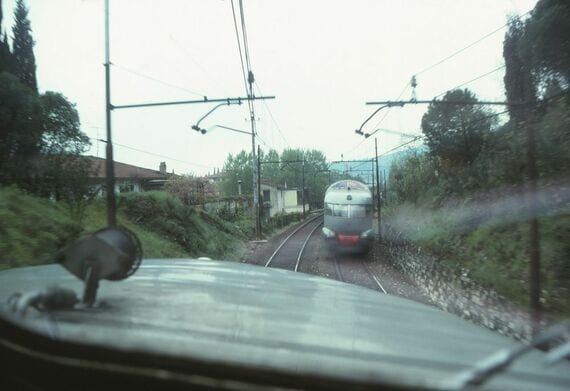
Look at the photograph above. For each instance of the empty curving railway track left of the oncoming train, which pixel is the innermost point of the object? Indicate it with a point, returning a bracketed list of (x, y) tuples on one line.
[(290, 252)]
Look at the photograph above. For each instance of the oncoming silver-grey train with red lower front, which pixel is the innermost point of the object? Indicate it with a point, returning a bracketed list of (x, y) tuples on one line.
[(348, 215)]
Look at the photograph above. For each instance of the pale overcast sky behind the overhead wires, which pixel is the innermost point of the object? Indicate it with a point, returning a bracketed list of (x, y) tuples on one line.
[(321, 59)]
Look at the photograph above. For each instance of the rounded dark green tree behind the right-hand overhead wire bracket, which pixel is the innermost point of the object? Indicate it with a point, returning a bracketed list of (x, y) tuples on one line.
[(457, 133)]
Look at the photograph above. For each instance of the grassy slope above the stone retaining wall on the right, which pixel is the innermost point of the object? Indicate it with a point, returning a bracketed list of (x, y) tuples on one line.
[(494, 250)]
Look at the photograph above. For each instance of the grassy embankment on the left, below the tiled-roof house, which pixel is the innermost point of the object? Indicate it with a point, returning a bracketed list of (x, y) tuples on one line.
[(33, 229)]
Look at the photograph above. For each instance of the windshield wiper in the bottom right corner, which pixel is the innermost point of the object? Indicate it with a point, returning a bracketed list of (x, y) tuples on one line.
[(503, 358)]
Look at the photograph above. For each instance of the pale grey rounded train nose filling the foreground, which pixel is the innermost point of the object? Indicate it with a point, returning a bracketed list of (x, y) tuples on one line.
[(273, 319)]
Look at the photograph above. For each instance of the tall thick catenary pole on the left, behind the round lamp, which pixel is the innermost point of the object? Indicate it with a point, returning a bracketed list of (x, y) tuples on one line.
[(109, 162)]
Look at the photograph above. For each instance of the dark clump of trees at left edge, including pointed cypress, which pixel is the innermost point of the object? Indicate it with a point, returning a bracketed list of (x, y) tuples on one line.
[(40, 137)]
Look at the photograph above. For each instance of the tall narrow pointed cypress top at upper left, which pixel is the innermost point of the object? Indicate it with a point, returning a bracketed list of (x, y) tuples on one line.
[(23, 47)]
